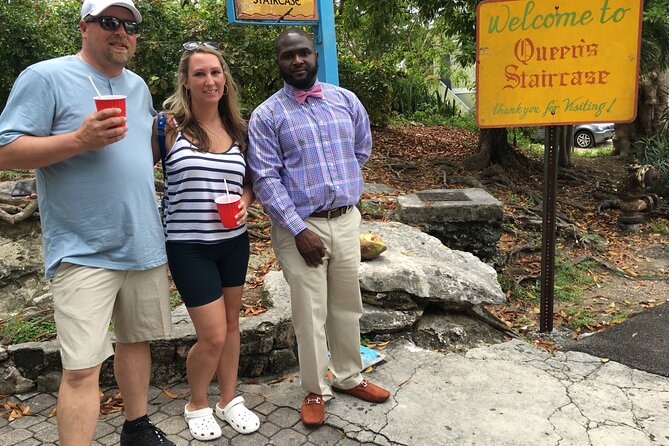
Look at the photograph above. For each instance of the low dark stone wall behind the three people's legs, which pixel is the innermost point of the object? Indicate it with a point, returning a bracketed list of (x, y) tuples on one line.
[(267, 346)]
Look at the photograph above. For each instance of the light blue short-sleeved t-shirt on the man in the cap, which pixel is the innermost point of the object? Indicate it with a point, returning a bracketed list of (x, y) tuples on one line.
[(98, 208)]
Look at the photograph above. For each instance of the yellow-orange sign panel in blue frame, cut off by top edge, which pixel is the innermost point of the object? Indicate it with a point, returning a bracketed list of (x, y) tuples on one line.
[(285, 10)]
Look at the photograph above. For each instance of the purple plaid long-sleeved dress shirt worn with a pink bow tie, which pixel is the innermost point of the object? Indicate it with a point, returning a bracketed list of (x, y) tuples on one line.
[(308, 157)]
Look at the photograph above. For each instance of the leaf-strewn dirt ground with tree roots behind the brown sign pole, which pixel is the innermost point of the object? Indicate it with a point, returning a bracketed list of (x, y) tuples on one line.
[(625, 272)]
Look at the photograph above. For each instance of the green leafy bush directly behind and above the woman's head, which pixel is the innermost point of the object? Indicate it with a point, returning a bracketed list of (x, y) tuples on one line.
[(249, 50)]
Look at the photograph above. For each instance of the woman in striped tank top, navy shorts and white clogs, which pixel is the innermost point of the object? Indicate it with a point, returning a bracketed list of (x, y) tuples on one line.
[(205, 139)]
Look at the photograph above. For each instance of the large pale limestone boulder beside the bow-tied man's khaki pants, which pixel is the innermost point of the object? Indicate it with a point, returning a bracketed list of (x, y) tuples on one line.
[(418, 264)]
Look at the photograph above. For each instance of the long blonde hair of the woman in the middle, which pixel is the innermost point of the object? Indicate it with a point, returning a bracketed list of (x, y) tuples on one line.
[(178, 104)]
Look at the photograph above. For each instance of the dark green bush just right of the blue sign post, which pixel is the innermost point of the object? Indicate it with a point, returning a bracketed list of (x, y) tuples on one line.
[(371, 83)]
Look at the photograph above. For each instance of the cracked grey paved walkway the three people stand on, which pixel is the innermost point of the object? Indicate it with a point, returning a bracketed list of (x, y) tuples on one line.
[(508, 394)]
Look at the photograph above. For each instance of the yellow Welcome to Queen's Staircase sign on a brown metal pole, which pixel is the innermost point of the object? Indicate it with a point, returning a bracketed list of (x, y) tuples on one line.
[(543, 62)]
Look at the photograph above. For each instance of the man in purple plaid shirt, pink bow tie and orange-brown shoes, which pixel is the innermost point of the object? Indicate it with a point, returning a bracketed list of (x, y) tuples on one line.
[(308, 143)]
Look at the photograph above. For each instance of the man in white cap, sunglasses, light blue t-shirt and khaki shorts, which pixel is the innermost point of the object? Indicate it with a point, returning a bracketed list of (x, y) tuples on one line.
[(103, 240)]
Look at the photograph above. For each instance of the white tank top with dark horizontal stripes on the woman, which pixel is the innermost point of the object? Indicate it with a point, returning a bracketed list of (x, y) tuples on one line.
[(194, 180)]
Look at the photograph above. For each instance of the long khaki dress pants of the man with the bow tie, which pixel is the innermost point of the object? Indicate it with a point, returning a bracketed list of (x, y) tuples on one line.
[(325, 302)]
